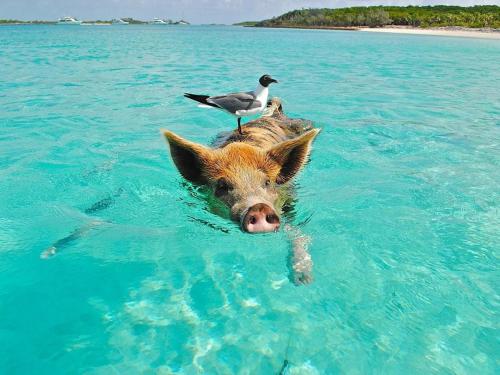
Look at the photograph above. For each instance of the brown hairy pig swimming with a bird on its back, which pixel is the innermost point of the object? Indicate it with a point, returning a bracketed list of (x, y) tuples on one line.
[(251, 173)]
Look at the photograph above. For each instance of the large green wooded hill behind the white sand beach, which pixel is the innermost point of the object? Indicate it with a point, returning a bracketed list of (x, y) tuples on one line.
[(485, 16)]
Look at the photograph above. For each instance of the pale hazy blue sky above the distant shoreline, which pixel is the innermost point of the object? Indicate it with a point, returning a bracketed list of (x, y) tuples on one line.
[(194, 11)]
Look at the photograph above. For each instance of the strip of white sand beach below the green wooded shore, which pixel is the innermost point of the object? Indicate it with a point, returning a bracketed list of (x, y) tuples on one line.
[(458, 32)]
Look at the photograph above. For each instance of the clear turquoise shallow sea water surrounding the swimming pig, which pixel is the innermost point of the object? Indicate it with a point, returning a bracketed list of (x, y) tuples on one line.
[(402, 196)]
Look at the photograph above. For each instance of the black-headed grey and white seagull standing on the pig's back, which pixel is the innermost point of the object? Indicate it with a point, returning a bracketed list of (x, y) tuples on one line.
[(238, 104)]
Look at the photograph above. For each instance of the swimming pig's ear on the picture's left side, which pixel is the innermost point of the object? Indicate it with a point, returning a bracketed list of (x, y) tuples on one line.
[(190, 158)]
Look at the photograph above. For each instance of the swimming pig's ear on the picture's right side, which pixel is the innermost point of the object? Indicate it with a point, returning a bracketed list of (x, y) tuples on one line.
[(292, 155)]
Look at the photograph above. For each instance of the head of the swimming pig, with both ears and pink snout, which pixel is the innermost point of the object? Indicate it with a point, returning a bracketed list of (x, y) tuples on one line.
[(247, 179)]
